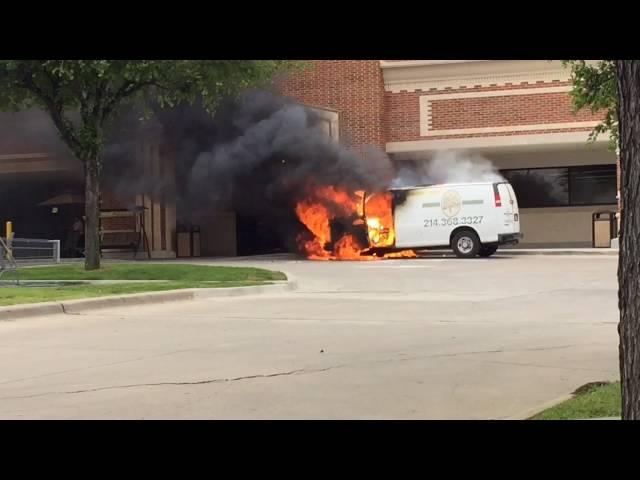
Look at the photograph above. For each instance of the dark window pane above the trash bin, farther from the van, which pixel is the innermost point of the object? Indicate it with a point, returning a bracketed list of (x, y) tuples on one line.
[(593, 185)]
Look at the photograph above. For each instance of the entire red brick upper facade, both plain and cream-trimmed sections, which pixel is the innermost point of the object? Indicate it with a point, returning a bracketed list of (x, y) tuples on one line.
[(369, 115)]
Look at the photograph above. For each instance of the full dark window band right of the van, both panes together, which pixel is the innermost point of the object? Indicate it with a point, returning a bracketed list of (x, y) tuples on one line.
[(564, 186)]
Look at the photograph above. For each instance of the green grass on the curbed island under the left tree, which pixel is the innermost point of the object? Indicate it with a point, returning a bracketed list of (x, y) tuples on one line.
[(175, 276)]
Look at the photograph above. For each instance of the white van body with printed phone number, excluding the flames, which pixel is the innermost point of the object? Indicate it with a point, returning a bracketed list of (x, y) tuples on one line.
[(471, 218)]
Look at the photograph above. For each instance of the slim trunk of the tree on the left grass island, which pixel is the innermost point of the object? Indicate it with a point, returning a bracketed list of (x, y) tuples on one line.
[(92, 213)]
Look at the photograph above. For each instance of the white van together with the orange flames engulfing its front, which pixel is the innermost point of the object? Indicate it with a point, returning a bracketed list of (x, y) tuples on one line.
[(470, 218)]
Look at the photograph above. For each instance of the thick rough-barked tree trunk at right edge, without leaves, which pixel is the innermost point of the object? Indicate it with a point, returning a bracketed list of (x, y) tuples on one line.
[(628, 78)]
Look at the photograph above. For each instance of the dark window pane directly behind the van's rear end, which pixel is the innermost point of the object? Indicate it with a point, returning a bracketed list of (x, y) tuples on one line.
[(540, 187)]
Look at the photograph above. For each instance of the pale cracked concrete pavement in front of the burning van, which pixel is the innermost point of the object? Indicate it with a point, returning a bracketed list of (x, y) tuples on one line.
[(428, 338)]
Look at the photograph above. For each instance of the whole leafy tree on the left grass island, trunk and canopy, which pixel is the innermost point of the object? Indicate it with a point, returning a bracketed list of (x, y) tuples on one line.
[(83, 96)]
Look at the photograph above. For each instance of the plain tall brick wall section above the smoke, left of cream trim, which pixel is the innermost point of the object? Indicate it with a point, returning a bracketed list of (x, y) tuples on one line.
[(354, 88)]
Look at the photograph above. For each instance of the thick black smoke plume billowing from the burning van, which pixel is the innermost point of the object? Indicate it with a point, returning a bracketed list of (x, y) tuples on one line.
[(257, 156)]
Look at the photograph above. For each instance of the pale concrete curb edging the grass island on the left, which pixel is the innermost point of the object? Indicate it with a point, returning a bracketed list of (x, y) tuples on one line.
[(15, 312)]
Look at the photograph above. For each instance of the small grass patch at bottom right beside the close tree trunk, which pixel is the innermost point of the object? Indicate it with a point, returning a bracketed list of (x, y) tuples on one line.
[(593, 401)]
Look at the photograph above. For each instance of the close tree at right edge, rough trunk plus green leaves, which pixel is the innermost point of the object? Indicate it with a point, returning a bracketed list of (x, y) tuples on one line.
[(614, 86)]
